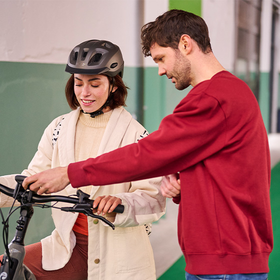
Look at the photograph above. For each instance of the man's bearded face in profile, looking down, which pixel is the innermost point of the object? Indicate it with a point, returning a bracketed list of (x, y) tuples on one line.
[(173, 64)]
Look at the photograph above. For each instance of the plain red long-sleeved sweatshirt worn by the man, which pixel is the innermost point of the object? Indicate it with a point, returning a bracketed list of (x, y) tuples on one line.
[(216, 139)]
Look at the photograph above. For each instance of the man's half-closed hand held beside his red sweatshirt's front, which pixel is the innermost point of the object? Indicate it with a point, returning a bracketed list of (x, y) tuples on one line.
[(170, 186)]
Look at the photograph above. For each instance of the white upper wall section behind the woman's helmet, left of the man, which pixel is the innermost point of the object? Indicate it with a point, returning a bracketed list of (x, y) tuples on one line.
[(46, 30)]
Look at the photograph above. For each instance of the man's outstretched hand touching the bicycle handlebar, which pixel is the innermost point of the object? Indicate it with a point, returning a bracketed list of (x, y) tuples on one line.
[(48, 181)]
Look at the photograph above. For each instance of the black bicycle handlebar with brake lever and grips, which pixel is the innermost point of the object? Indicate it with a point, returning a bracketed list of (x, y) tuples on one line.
[(82, 204)]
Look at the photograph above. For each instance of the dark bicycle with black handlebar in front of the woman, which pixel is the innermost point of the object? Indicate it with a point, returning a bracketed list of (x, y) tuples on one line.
[(12, 267)]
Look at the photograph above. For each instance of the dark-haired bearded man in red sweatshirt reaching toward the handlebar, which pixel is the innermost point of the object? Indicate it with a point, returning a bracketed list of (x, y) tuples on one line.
[(215, 142)]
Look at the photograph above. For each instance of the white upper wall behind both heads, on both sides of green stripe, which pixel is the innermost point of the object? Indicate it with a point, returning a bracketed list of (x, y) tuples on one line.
[(46, 30)]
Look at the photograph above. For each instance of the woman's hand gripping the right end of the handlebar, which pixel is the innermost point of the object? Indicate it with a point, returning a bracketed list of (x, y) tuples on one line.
[(106, 204)]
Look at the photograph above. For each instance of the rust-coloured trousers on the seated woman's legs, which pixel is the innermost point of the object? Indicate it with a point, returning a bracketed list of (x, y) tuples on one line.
[(75, 269)]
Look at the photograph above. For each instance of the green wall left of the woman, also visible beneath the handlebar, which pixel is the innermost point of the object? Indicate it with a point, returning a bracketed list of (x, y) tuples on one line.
[(31, 95)]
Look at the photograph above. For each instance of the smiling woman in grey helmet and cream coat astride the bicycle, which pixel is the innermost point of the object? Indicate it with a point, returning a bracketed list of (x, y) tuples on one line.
[(81, 247)]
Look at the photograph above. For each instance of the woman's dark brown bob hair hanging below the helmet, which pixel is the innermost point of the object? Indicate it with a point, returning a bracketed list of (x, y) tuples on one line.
[(118, 97)]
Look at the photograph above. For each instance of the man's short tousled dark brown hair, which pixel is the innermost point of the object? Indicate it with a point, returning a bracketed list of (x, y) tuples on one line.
[(168, 28)]
